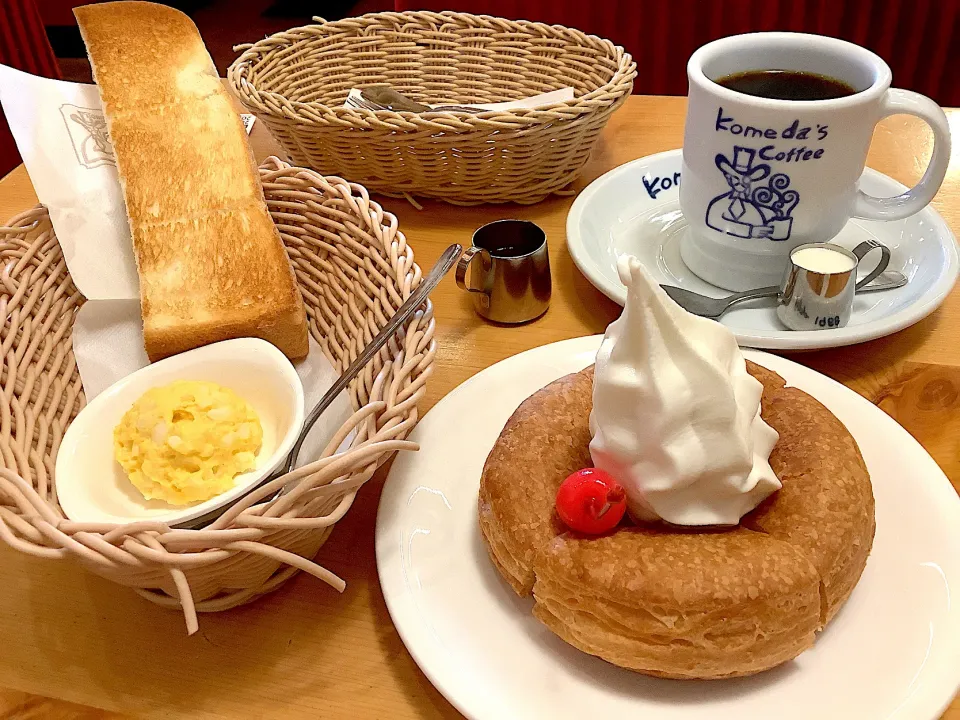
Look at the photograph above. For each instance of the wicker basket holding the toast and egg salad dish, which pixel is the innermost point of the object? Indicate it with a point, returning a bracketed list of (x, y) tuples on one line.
[(355, 269)]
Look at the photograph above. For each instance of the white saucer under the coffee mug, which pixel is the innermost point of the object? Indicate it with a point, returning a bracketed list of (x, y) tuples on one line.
[(635, 209)]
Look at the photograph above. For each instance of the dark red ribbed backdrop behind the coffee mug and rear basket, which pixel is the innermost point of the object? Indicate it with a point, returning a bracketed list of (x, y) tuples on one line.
[(920, 39)]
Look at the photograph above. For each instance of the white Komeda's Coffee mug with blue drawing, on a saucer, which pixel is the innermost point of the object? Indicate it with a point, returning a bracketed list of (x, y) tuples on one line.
[(761, 176)]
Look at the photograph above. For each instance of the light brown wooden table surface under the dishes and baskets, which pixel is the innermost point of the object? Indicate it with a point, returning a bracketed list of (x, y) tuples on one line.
[(306, 651)]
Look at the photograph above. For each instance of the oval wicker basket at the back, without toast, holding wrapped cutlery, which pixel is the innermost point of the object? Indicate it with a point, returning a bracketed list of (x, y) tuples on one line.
[(296, 82)]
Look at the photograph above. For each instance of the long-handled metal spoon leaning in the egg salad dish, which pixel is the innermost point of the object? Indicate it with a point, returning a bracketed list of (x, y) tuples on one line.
[(412, 303)]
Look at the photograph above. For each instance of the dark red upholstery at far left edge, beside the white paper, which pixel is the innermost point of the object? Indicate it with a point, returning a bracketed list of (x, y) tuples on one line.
[(23, 45)]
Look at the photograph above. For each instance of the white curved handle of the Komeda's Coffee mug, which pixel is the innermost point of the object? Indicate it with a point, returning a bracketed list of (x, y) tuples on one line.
[(906, 102)]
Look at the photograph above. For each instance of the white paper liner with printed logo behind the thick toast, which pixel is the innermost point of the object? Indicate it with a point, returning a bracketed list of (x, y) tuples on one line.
[(61, 133)]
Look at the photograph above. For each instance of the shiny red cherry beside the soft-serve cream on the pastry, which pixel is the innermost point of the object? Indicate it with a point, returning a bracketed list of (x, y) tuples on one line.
[(591, 502)]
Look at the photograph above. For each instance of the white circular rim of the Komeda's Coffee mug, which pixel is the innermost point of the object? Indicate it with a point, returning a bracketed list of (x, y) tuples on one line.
[(696, 75)]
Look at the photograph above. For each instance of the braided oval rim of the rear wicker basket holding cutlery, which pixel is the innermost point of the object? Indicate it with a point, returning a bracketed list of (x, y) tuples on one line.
[(237, 73)]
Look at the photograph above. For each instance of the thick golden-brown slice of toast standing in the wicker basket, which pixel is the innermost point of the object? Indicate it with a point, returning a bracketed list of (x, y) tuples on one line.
[(212, 265)]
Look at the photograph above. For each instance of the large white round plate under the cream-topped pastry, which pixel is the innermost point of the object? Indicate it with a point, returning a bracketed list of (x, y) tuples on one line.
[(892, 652)]
